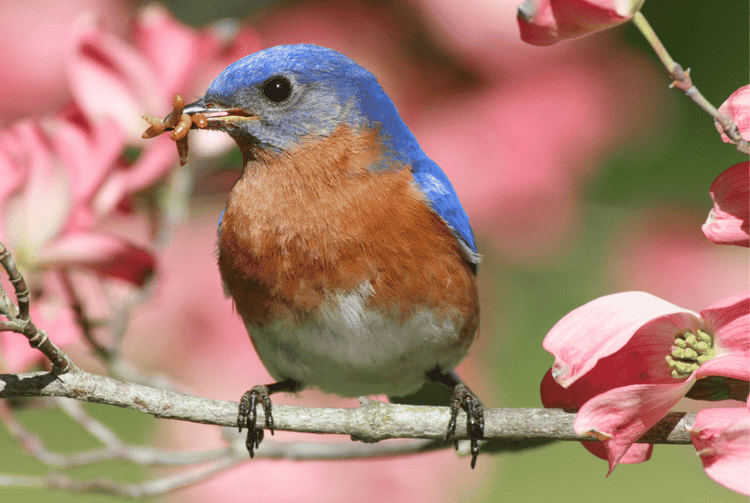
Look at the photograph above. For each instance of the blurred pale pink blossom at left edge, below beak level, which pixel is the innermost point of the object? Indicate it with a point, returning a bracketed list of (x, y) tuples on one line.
[(46, 219)]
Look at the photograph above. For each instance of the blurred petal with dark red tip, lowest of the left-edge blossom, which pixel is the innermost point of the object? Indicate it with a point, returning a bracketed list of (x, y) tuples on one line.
[(105, 254)]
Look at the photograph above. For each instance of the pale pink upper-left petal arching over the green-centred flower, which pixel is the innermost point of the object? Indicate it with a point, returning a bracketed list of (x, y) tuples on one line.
[(601, 328)]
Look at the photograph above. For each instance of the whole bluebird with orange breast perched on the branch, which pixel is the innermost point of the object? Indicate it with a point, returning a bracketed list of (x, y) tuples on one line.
[(344, 247)]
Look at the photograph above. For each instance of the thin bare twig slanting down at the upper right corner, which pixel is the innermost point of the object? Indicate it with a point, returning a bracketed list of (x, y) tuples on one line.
[(683, 82)]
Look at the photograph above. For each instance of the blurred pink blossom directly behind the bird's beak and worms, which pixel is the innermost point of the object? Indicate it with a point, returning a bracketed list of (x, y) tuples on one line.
[(112, 78)]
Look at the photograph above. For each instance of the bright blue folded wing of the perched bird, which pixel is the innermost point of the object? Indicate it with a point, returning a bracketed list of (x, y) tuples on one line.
[(444, 201)]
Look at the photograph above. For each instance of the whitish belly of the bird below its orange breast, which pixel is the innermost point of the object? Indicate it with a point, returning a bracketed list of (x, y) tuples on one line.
[(351, 350)]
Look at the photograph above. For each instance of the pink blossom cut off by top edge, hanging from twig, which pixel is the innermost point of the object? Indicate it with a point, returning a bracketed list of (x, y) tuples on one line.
[(545, 22)]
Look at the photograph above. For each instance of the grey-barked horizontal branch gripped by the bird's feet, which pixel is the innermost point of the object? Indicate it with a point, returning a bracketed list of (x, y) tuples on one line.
[(371, 422)]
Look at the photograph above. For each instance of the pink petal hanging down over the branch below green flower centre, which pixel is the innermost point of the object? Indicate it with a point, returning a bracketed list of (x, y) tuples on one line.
[(620, 416)]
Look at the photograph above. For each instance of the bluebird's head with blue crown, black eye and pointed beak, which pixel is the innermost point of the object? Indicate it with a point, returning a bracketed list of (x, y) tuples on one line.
[(281, 96)]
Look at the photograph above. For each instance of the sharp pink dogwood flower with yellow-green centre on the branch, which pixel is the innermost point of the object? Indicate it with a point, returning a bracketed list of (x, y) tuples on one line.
[(624, 360)]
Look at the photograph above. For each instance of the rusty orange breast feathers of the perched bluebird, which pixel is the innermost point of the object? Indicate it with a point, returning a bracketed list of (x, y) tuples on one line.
[(302, 226)]
